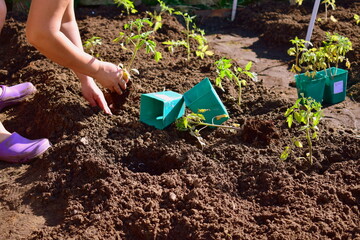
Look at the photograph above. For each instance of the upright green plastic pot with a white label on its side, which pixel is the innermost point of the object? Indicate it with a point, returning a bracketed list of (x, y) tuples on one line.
[(335, 85)]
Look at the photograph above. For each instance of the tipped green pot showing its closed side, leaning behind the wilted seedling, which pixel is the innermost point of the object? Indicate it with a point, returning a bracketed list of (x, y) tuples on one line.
[(204, 96)]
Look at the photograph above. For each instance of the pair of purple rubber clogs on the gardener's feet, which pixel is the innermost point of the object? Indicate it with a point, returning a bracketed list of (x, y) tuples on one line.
[(15, 148)]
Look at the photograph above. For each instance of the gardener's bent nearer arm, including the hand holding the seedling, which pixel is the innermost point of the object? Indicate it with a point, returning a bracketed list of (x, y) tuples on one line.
[(46, 31)]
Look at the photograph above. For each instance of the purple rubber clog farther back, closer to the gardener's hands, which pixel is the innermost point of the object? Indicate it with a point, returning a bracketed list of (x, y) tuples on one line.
[(15, 94)]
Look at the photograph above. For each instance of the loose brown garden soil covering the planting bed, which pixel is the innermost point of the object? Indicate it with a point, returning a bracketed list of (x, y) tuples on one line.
[(113, 177)]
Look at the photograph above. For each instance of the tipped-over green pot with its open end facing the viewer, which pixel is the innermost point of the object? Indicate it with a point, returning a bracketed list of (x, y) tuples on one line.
[(160, 109)]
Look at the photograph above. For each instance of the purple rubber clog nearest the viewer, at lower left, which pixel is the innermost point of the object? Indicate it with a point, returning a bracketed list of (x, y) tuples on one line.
[(17, 149)]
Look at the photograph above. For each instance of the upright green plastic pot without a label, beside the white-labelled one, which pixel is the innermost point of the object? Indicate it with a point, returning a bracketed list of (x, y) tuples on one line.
[(311, 87)]
